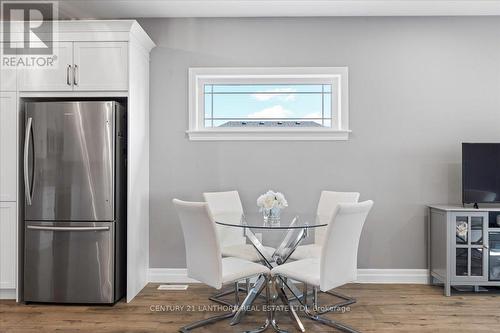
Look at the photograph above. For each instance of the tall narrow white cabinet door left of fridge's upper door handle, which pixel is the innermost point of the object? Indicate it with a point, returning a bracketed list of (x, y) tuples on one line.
[(8, 146)]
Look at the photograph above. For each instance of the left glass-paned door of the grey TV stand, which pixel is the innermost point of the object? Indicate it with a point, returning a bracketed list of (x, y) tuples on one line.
[(469, 253)]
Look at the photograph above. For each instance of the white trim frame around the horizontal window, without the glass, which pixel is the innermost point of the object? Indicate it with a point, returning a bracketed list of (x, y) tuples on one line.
[(200, 76)]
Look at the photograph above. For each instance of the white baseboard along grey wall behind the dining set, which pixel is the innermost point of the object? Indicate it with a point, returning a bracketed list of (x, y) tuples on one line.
[(414, 276)]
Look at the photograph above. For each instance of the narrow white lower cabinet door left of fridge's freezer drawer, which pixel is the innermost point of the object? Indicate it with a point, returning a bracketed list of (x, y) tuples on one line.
[(8, 244)]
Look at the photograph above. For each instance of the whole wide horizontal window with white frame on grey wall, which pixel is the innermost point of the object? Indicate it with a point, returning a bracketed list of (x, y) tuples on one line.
[(268, 104)]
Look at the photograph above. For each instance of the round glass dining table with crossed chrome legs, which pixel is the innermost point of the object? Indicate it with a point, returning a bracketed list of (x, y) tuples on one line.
[(296, 227)]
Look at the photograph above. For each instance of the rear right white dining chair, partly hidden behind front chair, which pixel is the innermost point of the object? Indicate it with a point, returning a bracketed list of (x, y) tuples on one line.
[(328, 201)]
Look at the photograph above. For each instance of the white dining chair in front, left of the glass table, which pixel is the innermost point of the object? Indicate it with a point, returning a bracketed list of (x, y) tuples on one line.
[(203, 256)]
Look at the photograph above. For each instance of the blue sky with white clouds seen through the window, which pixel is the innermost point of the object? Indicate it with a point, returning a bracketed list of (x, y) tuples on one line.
[(300, 103)]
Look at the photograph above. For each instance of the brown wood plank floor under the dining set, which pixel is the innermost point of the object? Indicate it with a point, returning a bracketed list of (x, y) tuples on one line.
[(380, 308)]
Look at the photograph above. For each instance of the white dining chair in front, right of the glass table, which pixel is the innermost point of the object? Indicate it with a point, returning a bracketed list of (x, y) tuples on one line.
[(337, 264)]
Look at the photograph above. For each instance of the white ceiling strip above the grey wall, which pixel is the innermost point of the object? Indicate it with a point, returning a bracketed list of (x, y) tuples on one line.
[(117, 9)]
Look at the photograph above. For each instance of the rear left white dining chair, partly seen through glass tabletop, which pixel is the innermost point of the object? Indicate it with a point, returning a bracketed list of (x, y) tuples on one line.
[(232, 240)]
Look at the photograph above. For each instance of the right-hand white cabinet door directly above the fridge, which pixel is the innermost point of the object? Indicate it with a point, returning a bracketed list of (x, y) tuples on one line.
[(101, 66)]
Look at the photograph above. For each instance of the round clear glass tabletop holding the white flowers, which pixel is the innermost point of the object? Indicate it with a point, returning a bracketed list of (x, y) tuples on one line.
[(256, 221)]
